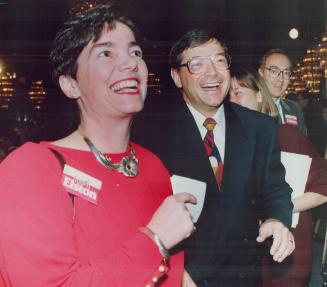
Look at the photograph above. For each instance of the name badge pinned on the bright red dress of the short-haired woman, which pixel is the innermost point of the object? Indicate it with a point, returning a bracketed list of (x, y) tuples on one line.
[(81, 184)]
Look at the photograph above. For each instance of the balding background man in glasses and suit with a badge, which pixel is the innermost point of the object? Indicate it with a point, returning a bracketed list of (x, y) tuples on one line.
[(275, 68)]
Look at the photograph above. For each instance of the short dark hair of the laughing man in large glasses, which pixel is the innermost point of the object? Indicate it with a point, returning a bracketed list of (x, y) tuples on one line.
[(192, 39)]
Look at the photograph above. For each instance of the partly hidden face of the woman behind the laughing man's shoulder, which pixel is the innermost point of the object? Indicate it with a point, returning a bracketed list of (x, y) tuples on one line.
[(243, 96)]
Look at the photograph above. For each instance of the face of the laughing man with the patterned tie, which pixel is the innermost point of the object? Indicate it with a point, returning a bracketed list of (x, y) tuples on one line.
[(204, 91)]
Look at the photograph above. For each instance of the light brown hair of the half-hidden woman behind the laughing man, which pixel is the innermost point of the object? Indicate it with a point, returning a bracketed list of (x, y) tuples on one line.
[(253, 81)]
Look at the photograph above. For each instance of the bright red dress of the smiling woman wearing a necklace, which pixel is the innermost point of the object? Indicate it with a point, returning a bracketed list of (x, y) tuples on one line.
[(42, 245)]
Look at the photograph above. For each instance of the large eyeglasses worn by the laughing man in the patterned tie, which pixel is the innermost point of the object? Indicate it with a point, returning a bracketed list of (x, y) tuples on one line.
[(198, 64)]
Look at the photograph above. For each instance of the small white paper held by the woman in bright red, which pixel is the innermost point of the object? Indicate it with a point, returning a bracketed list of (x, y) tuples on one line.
[(195, 187)]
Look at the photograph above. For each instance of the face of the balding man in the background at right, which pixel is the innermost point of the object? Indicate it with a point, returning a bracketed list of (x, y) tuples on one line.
[(276, 85)]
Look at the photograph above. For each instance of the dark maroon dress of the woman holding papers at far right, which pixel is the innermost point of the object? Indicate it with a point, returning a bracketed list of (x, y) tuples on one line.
[(295, 270)]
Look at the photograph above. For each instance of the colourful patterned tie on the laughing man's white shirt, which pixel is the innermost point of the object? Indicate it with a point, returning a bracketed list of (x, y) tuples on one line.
[(212, 150)]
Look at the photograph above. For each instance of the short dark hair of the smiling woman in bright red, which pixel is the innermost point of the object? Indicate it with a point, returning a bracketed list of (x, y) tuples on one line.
[(77, 32)]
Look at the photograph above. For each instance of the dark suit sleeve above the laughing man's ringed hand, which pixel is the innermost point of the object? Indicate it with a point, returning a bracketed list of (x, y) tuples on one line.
[(277, 193)]
